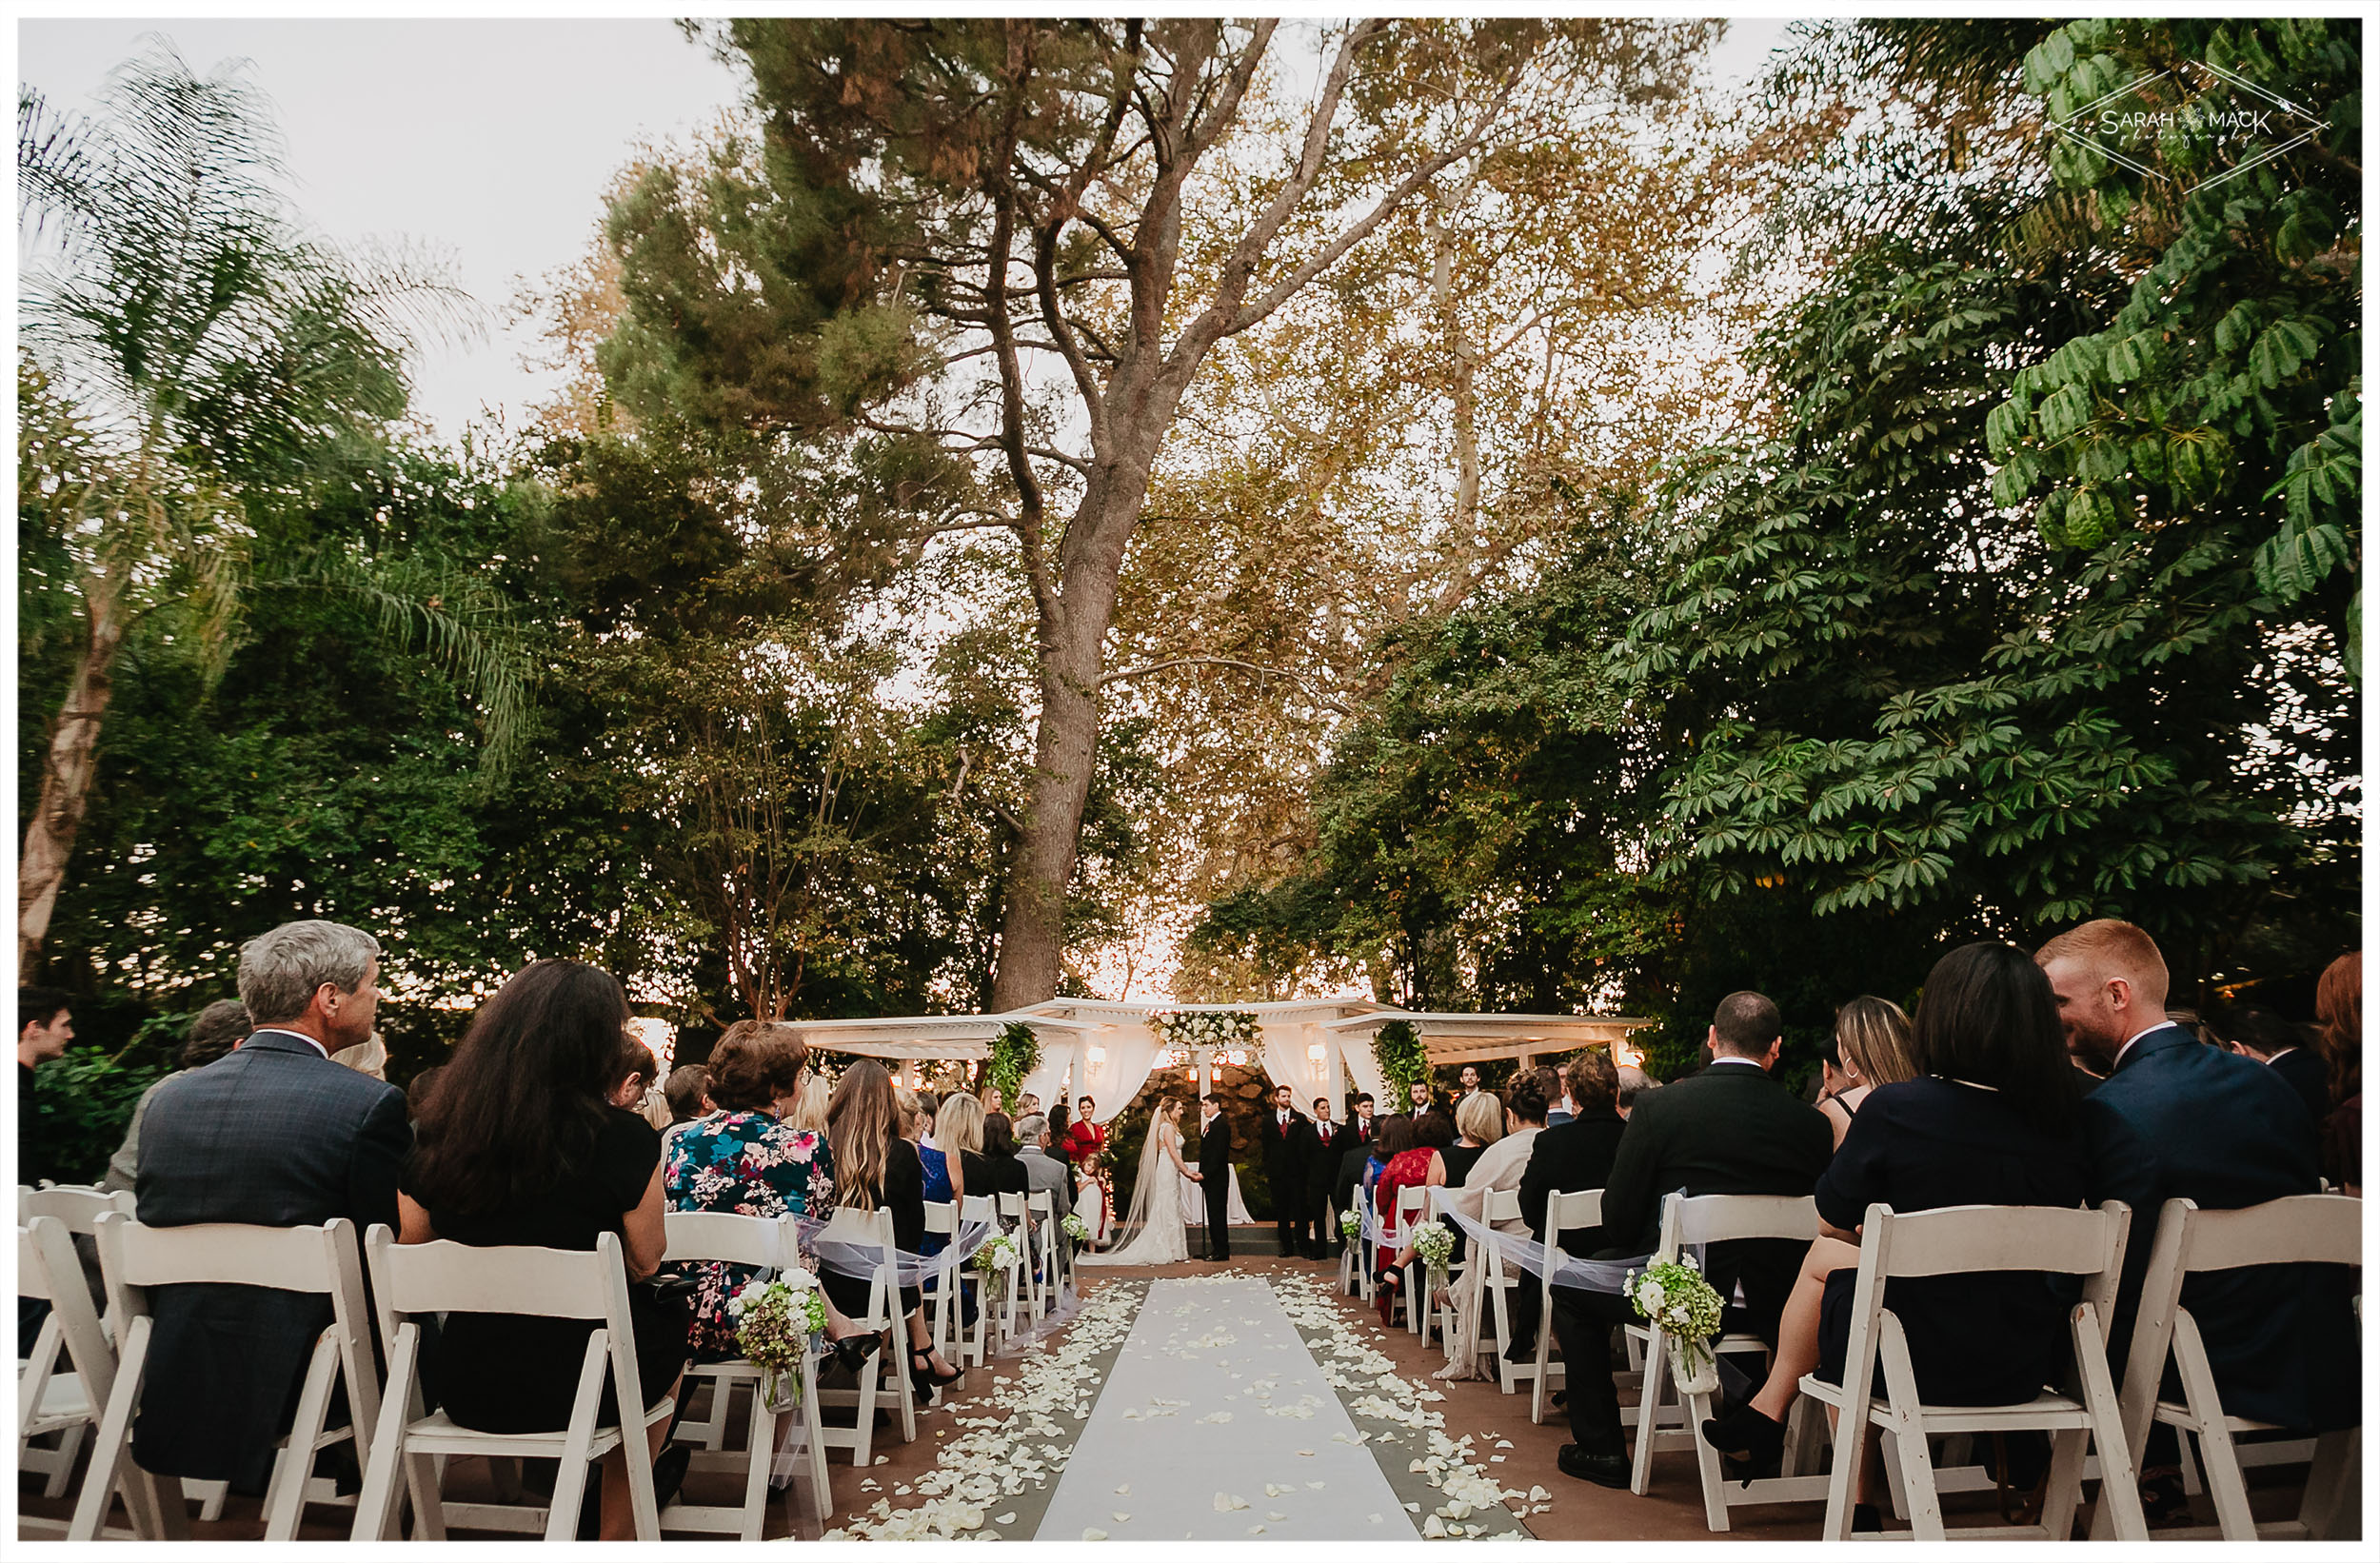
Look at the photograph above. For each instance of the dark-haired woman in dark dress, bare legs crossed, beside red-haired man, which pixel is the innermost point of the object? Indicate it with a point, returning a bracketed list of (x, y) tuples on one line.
[(1993, 1119)]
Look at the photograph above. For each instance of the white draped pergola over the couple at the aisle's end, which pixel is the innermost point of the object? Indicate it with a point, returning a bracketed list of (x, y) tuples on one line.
[(1110, 1050)]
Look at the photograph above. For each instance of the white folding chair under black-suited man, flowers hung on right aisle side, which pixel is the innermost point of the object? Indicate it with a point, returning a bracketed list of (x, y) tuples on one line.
[(1689, 1222)]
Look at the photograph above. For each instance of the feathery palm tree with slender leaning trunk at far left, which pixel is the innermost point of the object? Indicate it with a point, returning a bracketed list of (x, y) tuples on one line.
[(189, 351)]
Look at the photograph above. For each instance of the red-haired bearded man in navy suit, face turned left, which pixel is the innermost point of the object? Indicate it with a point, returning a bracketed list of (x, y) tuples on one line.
[(2179, 1119)]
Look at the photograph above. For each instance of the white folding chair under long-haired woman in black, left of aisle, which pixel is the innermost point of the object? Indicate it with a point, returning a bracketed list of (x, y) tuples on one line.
[(415, 1281)]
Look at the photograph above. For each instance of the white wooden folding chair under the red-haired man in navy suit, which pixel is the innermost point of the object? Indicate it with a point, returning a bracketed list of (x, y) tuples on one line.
[(2307, 1229)]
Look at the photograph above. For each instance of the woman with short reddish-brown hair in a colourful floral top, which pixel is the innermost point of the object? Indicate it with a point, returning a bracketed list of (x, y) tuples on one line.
[(746, 1160)]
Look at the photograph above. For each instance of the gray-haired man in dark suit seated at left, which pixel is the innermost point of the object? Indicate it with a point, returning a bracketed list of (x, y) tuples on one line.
[(270, 1136)]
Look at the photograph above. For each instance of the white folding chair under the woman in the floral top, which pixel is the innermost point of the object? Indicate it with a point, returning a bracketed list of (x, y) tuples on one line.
[(765, 1245)]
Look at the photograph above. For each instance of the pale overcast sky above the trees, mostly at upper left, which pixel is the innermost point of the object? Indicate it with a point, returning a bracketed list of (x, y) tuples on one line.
[(489, 142)]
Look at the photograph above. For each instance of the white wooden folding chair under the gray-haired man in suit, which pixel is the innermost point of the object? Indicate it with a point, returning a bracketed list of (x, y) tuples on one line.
[(289, 1260)]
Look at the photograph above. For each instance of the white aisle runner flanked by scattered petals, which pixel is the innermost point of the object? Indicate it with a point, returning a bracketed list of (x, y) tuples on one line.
[(1215, 1400)]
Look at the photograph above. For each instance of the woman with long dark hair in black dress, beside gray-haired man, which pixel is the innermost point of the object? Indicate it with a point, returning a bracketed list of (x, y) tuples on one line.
[(520, 1148)]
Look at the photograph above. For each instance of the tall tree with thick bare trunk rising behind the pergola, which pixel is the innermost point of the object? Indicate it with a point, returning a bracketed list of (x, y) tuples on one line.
[(937, 201)]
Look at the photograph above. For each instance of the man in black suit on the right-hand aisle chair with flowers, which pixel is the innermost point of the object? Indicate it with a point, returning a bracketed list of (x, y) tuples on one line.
[(1724, 1131)]
